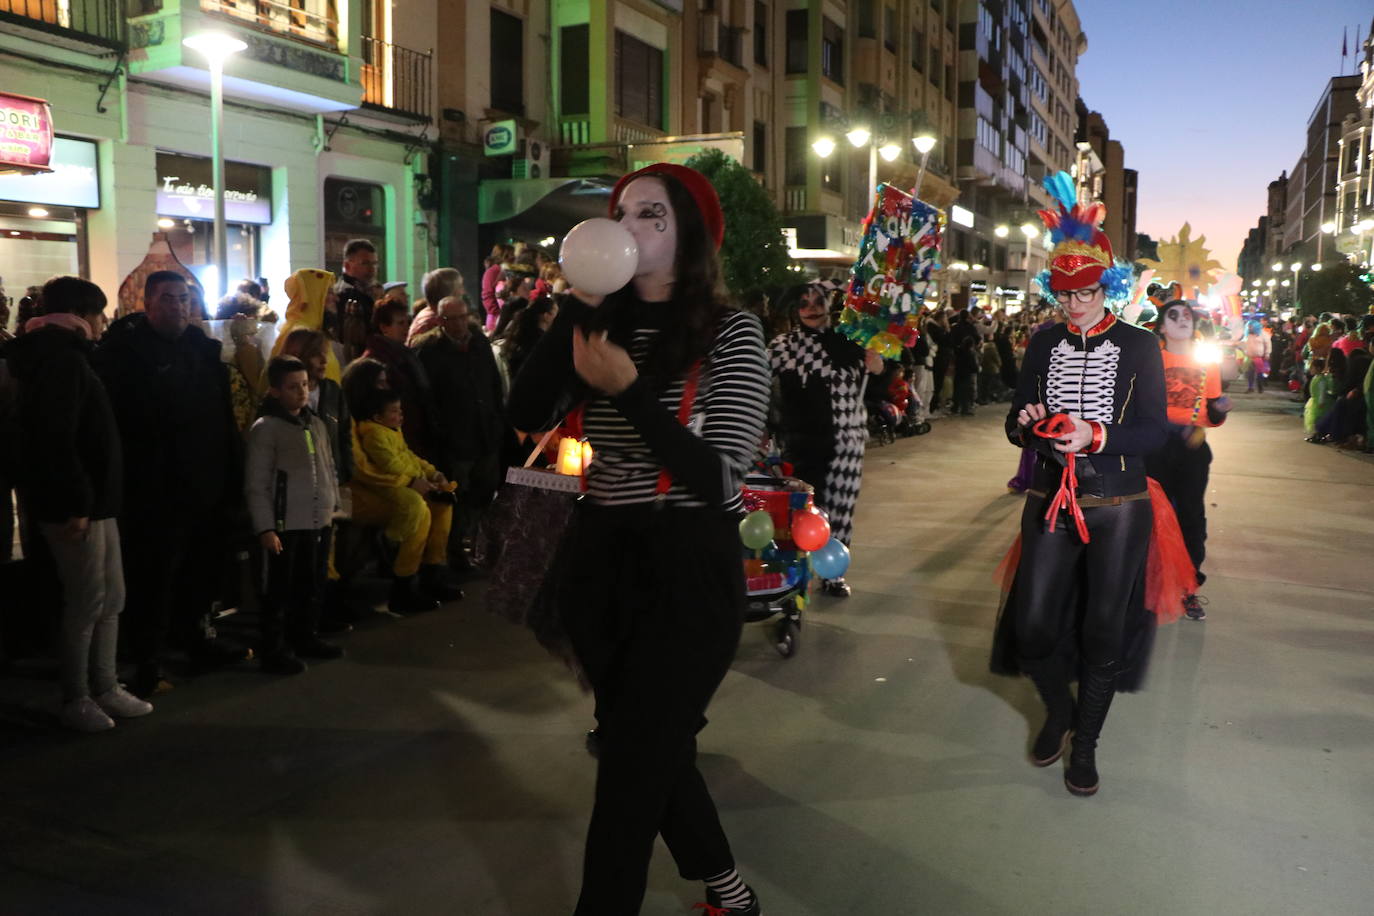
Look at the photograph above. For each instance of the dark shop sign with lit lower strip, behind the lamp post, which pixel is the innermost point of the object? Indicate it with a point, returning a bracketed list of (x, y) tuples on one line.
[(186, 190)]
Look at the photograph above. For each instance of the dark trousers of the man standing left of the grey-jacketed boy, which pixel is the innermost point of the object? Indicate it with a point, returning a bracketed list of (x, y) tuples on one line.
[(172, 569)]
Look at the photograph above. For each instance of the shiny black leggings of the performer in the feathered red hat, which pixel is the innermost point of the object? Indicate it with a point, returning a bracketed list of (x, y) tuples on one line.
[(1059, 573)]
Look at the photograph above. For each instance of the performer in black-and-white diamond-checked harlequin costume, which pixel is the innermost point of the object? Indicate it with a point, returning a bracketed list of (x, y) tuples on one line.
[(821, 417)]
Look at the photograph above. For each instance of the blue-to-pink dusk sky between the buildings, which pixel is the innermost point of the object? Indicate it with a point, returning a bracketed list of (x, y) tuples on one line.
[(1211, 100)]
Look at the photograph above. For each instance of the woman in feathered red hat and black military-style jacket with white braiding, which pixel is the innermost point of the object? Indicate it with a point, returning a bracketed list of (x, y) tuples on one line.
[(1090, 400)]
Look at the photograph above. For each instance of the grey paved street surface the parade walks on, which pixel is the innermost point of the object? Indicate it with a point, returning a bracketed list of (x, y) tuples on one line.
[(440, 770)]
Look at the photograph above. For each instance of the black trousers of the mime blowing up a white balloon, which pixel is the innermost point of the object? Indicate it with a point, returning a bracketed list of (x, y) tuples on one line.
[(653, 604)]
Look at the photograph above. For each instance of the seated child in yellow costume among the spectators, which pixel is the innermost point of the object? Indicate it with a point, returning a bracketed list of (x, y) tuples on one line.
[(406, 496)]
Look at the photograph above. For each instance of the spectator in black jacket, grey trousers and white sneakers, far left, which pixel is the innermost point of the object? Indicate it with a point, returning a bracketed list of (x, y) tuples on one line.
[(72, 481)]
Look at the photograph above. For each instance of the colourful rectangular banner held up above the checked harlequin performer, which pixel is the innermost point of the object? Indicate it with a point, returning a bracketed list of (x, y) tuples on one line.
[(899, 249)]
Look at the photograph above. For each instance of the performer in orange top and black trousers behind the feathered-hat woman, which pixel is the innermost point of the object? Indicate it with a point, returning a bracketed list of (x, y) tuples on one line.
[(1195, 404)]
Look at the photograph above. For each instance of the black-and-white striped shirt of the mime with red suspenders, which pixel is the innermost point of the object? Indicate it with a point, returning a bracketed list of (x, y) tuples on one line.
[(637, 435)]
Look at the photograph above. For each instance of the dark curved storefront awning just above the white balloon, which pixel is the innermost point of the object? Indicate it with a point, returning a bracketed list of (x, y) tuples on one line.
[(538, 208)]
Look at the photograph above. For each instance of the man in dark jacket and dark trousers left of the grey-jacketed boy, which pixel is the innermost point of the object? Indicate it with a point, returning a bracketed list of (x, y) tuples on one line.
[(182, 458)]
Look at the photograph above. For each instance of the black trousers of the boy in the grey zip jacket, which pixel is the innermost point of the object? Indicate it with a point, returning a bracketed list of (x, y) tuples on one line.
[(293, 583)]
